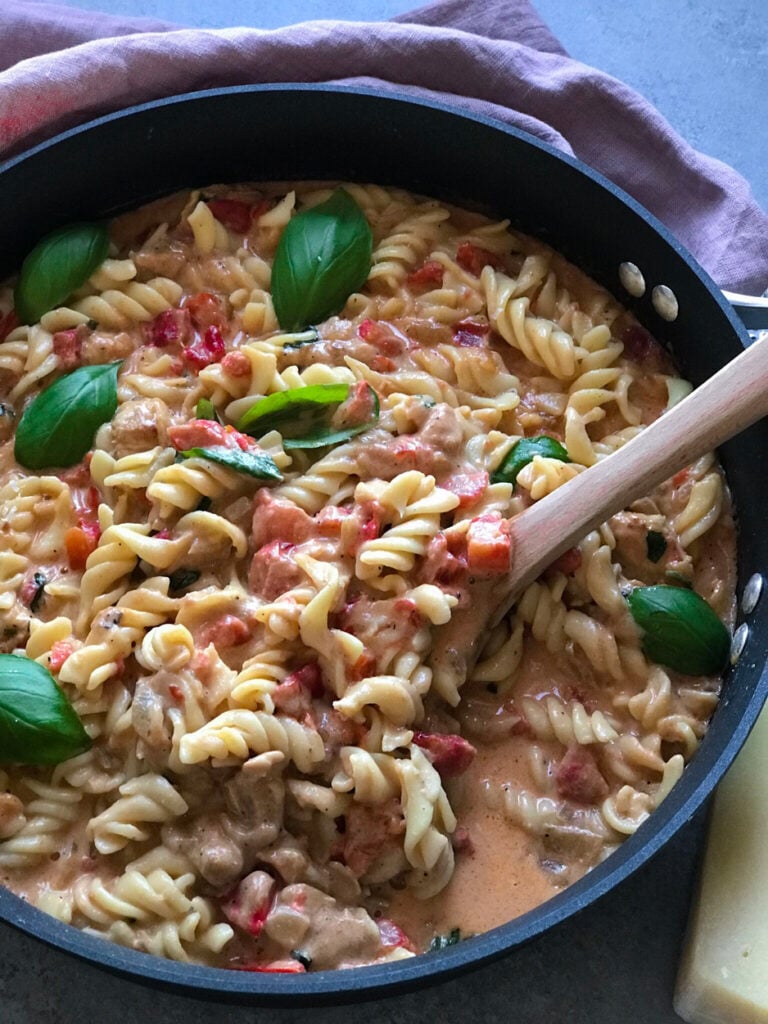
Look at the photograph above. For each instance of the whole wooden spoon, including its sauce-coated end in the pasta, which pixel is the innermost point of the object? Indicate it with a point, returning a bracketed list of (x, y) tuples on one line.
[(732, 401)]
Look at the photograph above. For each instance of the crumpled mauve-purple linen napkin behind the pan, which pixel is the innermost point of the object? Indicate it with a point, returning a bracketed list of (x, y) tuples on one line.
[(494, 58)]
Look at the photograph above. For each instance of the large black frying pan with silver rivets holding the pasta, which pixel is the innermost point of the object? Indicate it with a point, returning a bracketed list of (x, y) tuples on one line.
[(305, 133)]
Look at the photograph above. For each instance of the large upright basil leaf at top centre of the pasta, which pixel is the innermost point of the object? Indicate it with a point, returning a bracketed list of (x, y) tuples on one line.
[(323, 257)]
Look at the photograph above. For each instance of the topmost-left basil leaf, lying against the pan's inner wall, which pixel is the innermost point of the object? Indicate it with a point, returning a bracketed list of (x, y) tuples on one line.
[(58, 266)]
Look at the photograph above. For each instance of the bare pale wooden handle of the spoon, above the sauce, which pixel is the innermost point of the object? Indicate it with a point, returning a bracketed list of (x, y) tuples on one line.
[(732, 401)]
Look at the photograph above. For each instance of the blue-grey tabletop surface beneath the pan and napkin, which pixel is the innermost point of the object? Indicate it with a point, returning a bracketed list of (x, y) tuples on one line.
[(702, 63)]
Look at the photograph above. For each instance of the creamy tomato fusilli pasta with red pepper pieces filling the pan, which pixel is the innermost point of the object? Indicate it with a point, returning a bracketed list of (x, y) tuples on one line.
[(307, 747)]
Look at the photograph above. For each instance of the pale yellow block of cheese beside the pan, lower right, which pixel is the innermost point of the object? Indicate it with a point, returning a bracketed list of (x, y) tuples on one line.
[(724, 974)]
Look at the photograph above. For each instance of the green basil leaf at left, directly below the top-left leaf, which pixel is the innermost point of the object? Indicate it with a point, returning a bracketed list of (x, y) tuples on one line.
[(58, 428)]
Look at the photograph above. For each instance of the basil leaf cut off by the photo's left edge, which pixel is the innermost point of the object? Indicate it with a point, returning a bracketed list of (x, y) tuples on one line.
[(38, 726)]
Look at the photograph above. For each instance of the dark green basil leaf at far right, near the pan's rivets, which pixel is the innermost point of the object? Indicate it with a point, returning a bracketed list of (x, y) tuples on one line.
[(681, 631)]
